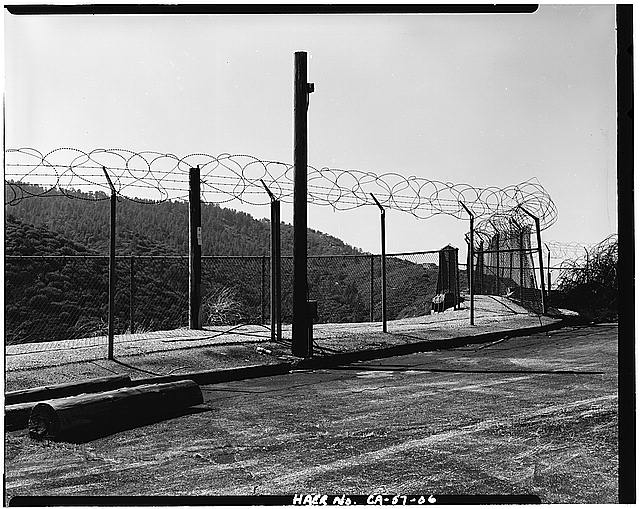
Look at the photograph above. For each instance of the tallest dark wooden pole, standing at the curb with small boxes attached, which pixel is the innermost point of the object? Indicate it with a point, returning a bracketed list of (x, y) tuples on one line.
[(301, 344)]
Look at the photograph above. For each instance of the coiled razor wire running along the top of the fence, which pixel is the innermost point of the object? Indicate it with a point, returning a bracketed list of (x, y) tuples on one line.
[(151, 177)]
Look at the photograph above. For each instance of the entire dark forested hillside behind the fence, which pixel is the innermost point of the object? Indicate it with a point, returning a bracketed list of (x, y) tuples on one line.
[(51, 293)]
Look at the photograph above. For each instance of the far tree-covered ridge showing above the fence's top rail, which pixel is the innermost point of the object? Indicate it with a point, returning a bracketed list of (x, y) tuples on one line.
[(159, 228)]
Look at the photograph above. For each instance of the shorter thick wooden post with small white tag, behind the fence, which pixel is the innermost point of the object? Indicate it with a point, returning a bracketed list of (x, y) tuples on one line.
[(195, 249)]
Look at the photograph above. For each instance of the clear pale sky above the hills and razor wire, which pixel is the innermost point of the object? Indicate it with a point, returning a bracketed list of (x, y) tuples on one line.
[(488, 100)]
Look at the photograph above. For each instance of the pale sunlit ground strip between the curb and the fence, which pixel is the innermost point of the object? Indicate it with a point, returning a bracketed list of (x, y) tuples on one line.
[(179, 351)]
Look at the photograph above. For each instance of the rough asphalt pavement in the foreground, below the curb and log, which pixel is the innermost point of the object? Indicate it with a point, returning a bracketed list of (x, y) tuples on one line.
[(530, 415)]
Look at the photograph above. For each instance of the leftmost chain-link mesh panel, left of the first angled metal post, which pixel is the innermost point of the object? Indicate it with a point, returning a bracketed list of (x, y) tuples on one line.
[(55, 298)]
